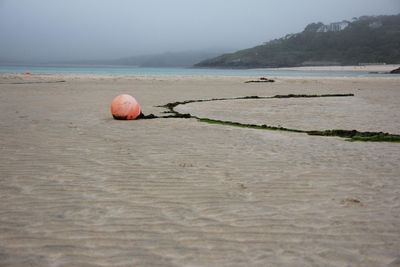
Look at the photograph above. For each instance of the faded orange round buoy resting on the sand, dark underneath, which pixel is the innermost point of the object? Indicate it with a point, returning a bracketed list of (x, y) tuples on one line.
[(125, 107)]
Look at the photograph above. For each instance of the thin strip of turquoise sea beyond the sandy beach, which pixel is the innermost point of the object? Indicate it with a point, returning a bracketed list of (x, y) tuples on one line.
[(140, 71)]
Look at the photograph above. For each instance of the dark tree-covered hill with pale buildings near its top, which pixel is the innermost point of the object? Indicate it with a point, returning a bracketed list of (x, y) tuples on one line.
[(368, 39)]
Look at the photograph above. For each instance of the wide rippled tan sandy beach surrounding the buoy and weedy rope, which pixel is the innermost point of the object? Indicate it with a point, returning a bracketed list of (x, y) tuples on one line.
[(78, 188)]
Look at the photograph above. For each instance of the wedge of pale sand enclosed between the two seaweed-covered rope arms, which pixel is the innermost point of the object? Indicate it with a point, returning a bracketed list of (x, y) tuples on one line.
[(319, 113)]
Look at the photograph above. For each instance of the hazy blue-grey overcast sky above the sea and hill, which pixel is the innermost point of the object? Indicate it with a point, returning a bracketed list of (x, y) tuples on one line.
[(46, 30)]
